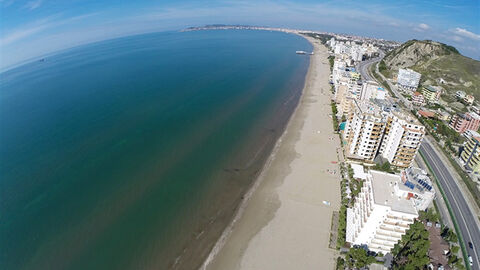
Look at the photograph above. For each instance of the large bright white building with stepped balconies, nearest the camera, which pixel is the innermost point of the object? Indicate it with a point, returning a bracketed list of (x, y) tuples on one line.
[(382, 213)]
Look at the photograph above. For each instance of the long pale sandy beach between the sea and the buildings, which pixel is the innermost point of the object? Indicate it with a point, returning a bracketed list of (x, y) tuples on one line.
[(284, 223)]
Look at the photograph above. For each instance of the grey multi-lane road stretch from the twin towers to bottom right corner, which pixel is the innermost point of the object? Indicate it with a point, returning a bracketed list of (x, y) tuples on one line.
[(463, 214)]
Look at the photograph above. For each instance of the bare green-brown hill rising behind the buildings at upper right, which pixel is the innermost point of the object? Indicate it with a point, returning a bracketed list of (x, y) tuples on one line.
[(440, 65)]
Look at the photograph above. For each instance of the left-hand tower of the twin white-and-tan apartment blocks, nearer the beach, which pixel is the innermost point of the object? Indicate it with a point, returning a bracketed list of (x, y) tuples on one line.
[(364, 130)]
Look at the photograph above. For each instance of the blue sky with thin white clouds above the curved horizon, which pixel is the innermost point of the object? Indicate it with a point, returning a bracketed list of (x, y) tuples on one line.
[(29, 29)]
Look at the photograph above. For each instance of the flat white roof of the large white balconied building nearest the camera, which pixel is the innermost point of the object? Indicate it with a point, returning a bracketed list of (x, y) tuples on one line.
[(384, 194)]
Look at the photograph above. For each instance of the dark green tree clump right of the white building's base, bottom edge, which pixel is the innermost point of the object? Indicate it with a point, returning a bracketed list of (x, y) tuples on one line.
[(411, 252)]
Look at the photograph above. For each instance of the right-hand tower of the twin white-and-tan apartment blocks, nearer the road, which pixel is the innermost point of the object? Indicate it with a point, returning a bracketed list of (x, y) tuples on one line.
[(402, 138)]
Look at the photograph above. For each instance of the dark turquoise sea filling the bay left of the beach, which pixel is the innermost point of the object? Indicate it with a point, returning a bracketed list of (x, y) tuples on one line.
[(133, 153)]
